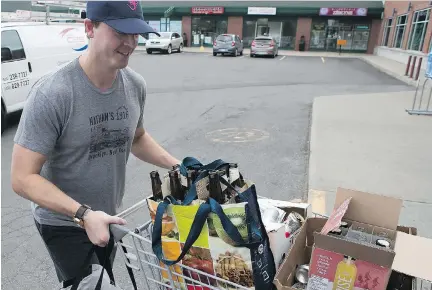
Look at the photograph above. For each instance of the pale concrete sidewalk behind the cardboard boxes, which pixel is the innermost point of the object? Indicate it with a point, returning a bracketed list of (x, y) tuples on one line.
[(369, 143)]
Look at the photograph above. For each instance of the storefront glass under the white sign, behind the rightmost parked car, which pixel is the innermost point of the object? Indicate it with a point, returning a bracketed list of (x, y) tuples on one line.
[(282, 29)]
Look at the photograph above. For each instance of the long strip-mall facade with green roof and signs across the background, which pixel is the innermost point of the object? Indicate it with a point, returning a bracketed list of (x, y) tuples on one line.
[(320, 23)]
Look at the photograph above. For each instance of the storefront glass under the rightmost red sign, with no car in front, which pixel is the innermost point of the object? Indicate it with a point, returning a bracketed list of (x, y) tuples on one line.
[(326, 32)]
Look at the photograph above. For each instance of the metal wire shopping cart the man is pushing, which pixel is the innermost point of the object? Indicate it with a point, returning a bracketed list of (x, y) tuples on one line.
[(135, 247)]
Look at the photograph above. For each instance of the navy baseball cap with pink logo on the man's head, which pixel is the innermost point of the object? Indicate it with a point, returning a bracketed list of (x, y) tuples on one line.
[(123, 16)]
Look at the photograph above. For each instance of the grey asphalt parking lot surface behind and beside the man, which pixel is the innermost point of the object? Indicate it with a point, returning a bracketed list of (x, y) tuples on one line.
[(255, 112)]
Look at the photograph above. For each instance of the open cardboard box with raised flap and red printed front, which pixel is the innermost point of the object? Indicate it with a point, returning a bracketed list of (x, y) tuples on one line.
[(344, 264)]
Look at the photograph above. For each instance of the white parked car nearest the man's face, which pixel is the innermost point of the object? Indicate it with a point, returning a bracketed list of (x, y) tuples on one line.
[(166, 42)]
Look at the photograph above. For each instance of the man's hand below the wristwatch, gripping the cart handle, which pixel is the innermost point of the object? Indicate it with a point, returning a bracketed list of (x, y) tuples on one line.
[(96, 224)]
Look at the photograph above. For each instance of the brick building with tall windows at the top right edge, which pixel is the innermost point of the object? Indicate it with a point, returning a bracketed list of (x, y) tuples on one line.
[(405, 30)]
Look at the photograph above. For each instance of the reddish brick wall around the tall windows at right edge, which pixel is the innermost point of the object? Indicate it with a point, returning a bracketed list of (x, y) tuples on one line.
[(401, 8)]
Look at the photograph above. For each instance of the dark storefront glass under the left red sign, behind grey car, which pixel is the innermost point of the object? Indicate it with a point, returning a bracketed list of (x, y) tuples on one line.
[(205, 29)]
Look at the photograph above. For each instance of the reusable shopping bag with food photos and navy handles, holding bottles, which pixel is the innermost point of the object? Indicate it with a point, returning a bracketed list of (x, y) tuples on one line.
[(227, 241)]
